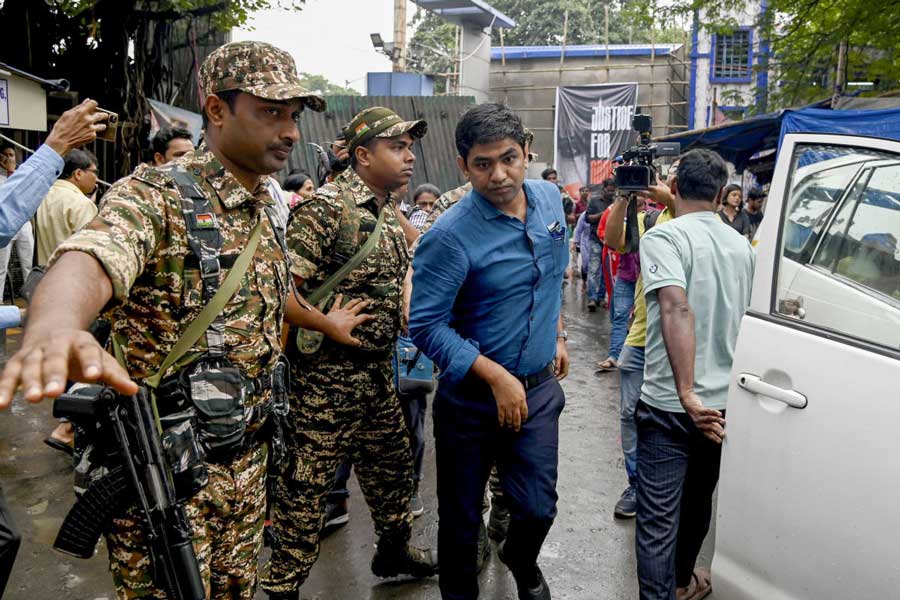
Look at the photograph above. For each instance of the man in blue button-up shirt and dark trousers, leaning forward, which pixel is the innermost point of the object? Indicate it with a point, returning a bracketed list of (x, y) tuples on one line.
[(486, 309)]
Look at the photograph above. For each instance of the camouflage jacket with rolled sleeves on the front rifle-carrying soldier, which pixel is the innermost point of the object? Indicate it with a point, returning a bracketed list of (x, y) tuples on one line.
[(139, 238)]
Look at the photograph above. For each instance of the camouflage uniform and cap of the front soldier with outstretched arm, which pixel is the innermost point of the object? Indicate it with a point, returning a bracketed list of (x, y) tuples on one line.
[(139, 237)]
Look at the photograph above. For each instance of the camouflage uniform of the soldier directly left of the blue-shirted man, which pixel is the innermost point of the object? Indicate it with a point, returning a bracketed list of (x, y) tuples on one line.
[(345, 403)]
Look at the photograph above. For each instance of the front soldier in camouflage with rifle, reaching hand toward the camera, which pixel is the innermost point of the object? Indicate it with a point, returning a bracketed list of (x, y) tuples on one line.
[(132, 259)]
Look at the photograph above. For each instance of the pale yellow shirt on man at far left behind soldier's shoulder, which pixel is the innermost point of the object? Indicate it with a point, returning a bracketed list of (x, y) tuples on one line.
[(64, 211)]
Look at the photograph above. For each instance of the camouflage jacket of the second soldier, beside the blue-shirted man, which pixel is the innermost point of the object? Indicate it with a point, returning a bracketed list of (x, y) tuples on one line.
[(327, 230)]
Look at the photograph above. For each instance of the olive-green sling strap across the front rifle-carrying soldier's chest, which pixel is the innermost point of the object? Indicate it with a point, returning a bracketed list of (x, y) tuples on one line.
[(213, 308)]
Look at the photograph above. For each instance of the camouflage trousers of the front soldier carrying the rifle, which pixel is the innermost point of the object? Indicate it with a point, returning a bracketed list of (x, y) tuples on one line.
[(226, 519)]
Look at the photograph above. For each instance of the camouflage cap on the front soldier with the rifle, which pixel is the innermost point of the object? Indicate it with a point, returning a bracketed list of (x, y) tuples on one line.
[(257, 68)]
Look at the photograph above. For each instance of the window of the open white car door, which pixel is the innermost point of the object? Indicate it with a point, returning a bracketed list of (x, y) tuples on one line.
[(840, 262)]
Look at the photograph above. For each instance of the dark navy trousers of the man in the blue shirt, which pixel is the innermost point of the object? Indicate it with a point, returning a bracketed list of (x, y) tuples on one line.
[(468, 440)]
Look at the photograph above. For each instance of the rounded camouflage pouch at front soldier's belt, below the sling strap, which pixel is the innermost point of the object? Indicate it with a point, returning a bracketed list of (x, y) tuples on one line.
[(217, 395)]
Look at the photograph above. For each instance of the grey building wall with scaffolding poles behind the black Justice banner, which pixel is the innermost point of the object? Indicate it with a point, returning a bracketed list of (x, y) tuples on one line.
[(528, 86)]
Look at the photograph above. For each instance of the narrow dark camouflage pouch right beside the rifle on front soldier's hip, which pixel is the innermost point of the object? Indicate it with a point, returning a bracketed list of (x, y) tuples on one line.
[(183, 453)]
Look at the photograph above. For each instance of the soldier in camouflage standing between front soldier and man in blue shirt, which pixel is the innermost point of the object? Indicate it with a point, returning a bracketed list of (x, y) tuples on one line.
[(345, 403)]
